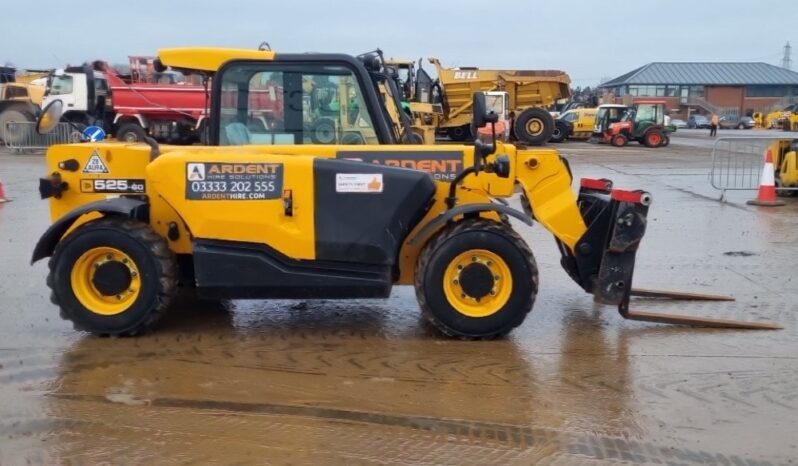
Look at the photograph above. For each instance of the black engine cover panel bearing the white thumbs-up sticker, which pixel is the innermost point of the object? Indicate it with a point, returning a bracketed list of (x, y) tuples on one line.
[(367, 227)]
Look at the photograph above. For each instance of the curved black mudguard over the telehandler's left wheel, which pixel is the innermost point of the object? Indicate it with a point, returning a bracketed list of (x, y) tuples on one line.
[(133, 208)]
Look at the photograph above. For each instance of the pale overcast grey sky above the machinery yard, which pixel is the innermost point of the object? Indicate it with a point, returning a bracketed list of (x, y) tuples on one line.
[(588, 39)]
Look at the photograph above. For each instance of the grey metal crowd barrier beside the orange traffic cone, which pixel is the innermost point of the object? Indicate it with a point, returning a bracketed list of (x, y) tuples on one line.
[(737, 163)]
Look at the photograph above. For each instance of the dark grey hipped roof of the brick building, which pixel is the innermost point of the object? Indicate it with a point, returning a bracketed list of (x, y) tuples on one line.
[(718, 74)]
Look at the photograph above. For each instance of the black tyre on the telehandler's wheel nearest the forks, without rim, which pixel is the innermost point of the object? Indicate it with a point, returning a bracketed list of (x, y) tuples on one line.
[(458, 239)]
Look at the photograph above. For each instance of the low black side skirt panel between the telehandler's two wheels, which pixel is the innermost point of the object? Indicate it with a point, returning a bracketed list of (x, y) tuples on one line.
[(225, 269)]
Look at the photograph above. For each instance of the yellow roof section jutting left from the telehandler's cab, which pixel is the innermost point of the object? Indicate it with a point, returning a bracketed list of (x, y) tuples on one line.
[(208, 58)]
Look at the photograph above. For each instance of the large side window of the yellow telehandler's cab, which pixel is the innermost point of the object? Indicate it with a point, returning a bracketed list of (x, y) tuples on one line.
[(293, 104)]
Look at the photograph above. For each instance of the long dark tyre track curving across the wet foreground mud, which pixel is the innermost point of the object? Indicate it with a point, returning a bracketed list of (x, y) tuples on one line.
[(493, 435)]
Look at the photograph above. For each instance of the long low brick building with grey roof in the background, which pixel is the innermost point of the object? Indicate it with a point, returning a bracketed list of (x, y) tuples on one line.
[(723, 88)]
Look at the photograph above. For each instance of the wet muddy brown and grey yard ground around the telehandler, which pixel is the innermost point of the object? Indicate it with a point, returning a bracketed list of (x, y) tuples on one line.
[(367, 382)]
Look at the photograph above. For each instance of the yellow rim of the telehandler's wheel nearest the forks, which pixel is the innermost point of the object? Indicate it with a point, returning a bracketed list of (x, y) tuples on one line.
[(458, 295)]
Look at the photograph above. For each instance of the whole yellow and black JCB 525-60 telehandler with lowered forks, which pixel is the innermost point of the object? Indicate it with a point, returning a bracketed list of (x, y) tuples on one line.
[(270, 214)]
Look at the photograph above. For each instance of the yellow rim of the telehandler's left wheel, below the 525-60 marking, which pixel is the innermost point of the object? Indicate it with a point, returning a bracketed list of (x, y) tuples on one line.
[(85, 271)]
